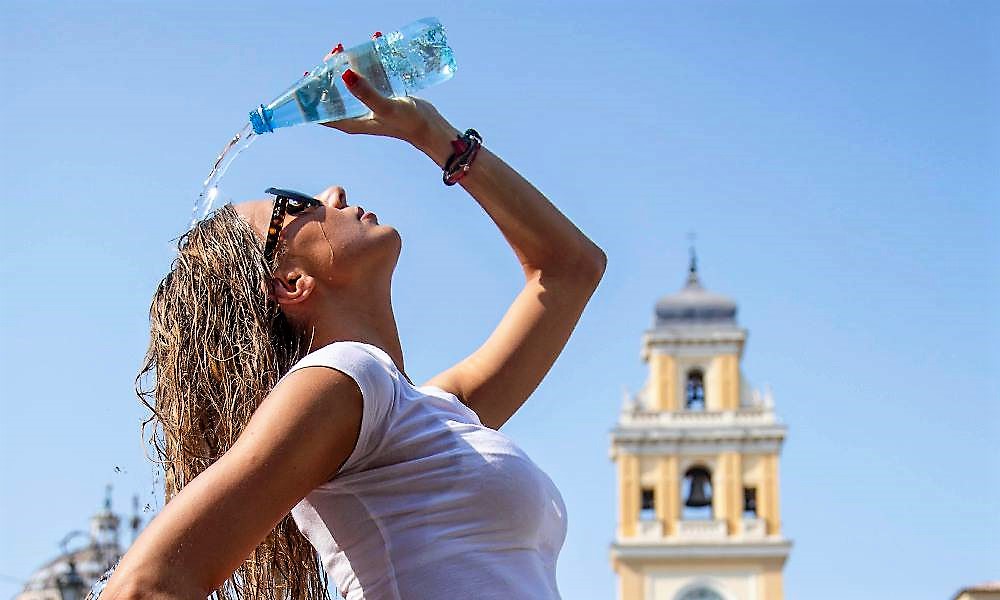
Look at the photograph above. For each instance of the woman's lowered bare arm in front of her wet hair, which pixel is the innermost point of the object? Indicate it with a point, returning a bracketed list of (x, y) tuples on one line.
[(296, 440)]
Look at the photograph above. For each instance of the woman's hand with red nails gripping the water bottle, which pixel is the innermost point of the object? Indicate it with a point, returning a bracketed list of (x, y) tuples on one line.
[(407, 118)]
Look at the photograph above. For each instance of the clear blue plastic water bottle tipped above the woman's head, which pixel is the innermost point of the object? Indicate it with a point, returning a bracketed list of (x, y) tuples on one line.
[(396, 64)]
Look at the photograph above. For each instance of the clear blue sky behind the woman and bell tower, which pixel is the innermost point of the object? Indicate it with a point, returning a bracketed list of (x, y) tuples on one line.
[(837, 160)]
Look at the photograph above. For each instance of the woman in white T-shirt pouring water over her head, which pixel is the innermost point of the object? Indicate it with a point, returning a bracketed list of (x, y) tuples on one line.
[(282, 403)]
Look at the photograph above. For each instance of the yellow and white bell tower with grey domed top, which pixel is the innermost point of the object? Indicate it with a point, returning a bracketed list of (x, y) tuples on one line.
[(696, 452)]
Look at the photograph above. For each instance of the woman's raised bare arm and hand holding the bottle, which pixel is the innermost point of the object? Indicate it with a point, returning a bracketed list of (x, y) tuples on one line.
[(562, 266)]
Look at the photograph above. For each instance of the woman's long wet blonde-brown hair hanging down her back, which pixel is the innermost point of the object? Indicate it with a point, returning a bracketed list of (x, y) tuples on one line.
[(218, 344)]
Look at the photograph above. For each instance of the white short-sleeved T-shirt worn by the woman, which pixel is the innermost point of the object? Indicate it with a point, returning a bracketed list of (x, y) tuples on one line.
[(430, 504)]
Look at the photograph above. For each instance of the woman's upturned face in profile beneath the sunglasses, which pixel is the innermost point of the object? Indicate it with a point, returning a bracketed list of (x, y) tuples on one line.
[(332, 242)]
